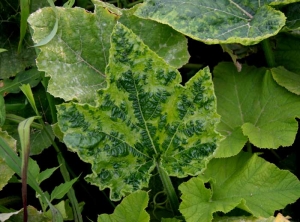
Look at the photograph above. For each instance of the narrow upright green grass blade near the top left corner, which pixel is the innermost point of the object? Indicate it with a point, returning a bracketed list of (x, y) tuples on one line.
[(25, 10)]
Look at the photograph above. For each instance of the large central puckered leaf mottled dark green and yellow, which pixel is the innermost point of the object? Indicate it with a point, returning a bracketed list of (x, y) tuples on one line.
[(145, 118)]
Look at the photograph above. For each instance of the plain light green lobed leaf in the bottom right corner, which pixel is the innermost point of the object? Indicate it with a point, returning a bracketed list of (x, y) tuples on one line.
[(245, 181)]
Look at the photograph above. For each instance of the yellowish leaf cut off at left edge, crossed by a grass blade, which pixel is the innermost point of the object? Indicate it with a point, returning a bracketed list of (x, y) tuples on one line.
[(5, 171)]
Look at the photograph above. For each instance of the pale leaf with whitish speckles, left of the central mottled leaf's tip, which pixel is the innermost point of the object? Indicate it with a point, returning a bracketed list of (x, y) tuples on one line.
[(78, 54)]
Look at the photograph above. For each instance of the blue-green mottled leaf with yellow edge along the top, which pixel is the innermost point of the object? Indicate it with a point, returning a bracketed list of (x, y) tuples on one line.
[(213, 22)]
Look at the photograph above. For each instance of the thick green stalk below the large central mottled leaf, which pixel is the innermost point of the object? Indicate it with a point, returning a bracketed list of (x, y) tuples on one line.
[(168, 186)]
